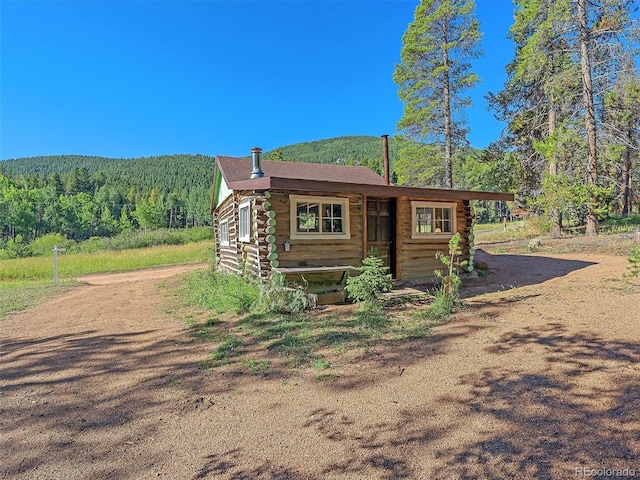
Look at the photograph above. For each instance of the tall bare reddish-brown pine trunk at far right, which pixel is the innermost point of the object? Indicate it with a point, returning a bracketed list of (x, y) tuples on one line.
[(590, 117)]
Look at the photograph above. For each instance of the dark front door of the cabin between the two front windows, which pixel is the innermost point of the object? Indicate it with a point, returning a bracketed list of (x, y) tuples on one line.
[(380, 229)]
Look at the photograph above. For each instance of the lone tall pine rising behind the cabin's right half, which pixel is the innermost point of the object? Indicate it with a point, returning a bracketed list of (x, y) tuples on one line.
[(435, 74)]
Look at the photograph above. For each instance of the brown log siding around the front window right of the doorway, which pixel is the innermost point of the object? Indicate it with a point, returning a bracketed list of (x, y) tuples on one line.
[(418, 256)]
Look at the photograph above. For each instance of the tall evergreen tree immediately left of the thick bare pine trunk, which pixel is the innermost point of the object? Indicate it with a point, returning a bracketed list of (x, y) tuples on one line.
[(538, 98)]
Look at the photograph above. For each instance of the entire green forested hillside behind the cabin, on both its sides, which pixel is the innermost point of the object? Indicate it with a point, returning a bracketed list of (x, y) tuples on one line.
[(80, 196)]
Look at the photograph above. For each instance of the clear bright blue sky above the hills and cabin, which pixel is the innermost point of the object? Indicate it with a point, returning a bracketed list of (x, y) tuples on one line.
[(129, 79)]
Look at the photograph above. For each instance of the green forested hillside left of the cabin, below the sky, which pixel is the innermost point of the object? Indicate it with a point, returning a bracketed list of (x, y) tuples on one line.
[(79, 197)]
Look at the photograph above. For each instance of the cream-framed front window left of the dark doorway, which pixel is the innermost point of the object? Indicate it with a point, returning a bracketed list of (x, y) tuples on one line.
[(319, 217)]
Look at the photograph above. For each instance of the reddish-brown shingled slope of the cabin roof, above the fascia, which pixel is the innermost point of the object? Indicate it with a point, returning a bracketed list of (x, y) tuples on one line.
[(238, 169)]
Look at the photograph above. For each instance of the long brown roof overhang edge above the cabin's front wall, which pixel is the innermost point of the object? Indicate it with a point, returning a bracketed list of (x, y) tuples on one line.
[(392, 191)]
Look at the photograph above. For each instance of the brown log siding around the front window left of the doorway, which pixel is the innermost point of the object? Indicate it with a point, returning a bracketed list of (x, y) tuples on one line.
[(317, 252)]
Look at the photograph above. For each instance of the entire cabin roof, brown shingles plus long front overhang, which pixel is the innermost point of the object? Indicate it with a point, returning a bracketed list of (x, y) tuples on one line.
[(316, 177)]
